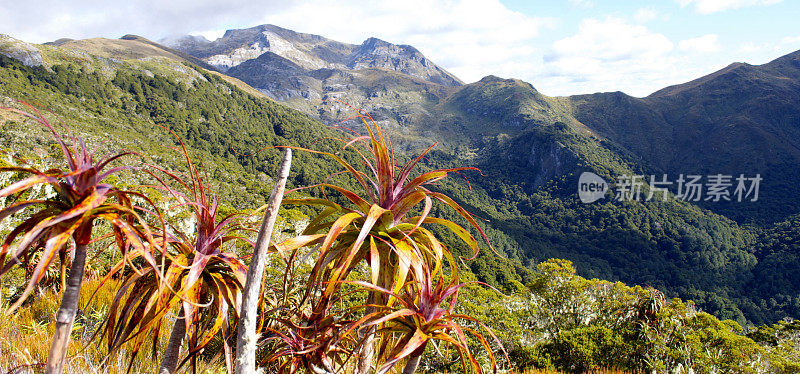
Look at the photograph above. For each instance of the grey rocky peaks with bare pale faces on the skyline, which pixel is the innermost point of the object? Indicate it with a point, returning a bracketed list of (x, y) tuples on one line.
[(396, 84)]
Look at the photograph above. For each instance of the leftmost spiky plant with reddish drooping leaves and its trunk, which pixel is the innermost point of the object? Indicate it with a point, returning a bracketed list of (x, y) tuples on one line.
[(65, 223)]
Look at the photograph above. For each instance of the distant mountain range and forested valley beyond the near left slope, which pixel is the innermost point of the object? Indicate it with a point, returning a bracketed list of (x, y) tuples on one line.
[(735, 259)]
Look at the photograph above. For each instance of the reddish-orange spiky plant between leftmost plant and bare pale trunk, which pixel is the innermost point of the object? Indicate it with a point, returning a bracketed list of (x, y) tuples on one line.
[(202, 276)]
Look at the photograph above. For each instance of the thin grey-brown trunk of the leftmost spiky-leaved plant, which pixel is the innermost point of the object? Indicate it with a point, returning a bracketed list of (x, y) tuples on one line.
[(66, 312)]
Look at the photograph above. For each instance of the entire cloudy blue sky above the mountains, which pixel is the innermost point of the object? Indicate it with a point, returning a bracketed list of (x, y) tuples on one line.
[(562, 47)]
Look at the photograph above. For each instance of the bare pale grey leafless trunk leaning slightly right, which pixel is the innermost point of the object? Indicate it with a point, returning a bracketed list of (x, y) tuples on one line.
[(247, 340)]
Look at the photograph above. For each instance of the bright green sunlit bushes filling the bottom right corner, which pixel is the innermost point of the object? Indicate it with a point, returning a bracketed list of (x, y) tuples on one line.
[(574, 324)]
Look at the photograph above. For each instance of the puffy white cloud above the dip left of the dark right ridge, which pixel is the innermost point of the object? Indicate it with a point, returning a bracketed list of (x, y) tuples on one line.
[(614, 54)]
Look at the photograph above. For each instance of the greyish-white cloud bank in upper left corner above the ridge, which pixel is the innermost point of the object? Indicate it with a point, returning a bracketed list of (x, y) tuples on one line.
[(45, 20)]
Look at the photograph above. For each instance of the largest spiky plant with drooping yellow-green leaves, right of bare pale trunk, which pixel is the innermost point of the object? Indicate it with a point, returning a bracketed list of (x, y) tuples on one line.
[(376, 228)]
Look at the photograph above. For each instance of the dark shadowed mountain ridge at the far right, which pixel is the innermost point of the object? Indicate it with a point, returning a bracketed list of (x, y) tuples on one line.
[(742, 119)]
